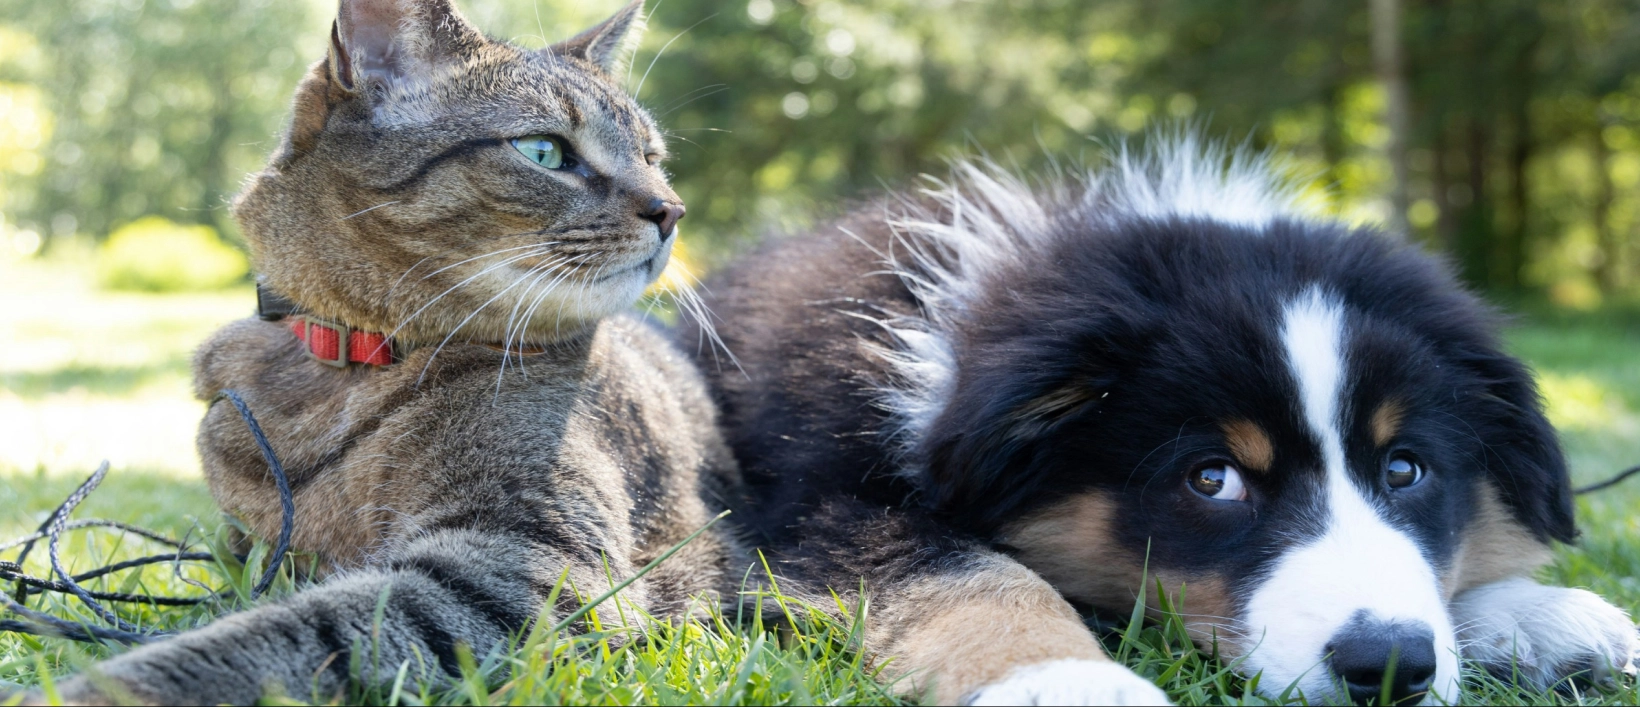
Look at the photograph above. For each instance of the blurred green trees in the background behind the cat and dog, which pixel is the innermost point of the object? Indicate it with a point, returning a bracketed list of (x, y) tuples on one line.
[(1524, 124)]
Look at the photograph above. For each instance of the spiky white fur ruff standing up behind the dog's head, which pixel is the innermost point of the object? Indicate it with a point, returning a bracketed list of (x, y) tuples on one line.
[(998, 221)]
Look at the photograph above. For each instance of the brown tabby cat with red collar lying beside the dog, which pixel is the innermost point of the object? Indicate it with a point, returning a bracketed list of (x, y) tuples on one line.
[(467, 221)]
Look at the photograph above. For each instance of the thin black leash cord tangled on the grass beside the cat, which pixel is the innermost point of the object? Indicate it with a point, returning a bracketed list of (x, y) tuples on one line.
[(58, 522)]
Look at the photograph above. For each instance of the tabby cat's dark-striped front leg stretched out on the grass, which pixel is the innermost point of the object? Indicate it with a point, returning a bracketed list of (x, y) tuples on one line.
[(445, 590)]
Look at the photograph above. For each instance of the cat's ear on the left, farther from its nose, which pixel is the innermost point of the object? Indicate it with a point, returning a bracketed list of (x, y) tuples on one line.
[(396, 40)]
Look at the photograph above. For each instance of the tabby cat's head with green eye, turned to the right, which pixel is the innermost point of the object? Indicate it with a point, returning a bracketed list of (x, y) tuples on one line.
[(435, 181)]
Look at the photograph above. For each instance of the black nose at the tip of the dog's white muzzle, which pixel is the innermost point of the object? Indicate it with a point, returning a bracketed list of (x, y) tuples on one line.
[(1370, 655)]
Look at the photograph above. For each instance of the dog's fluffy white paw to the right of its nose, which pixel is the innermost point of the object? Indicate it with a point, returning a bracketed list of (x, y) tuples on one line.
[(1544, 634)]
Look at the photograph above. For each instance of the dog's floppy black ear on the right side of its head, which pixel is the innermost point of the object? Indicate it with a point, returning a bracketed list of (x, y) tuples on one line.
[(1523, 454)]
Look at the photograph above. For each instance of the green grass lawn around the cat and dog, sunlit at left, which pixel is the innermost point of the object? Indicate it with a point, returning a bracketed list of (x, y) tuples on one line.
[(89, 376)]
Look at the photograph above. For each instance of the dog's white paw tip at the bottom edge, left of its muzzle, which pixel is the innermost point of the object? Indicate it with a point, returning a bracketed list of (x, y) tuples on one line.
[(1070, 683)]
